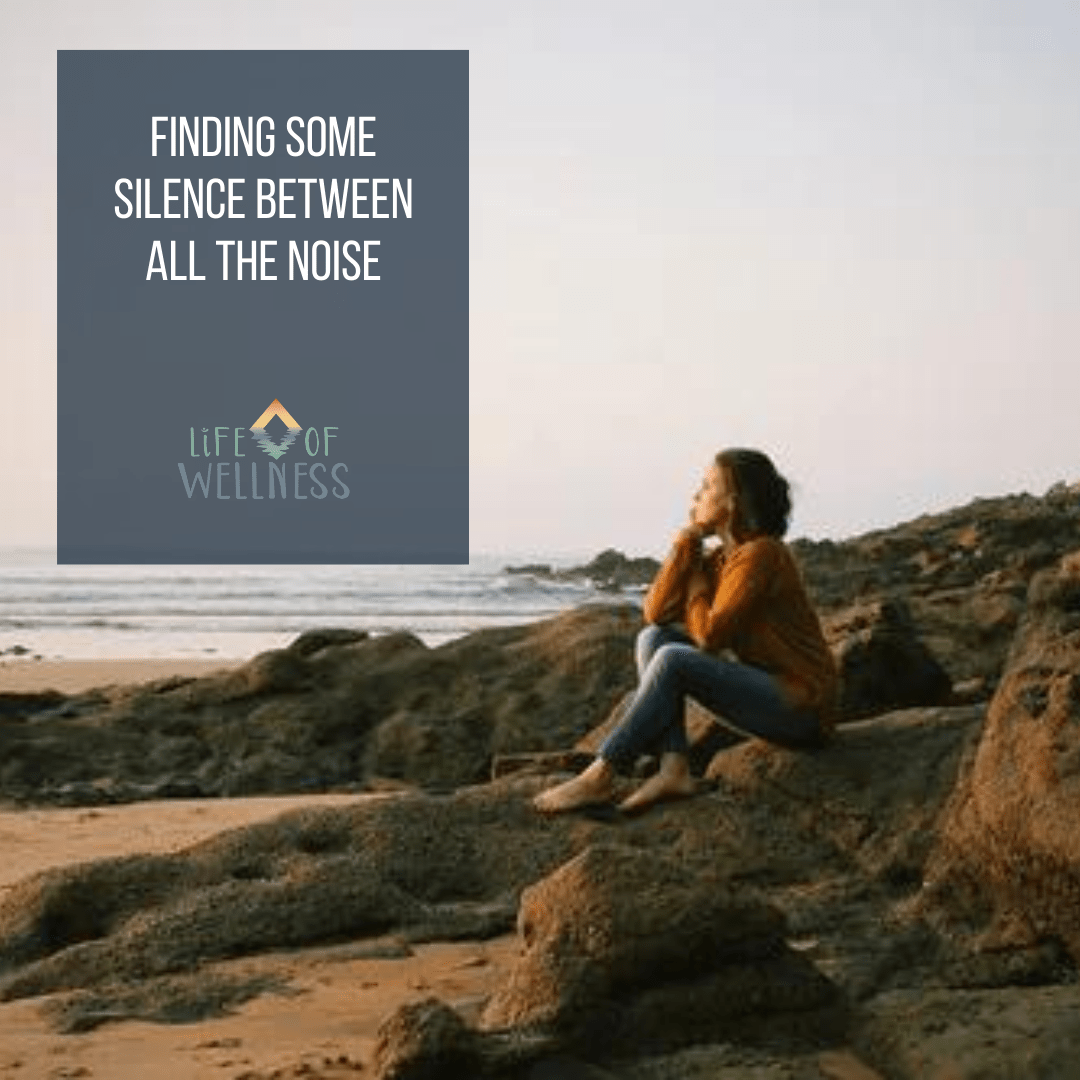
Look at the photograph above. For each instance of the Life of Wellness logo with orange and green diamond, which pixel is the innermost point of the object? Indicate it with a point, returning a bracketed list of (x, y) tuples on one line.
[(313, 478)]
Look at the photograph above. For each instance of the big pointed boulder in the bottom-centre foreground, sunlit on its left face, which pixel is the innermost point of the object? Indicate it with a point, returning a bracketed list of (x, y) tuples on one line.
[(626, 949)]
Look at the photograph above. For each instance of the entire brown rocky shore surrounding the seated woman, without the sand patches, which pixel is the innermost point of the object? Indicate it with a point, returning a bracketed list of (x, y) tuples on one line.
[(902, 903)]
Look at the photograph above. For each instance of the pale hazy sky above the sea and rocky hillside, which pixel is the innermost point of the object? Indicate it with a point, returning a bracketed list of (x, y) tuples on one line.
[(844, 233)]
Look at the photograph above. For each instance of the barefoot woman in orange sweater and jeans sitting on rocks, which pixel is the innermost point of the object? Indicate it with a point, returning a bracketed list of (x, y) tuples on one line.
[(747, 597)]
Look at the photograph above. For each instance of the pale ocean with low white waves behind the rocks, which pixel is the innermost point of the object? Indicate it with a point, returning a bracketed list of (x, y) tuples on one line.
[(76, 613)]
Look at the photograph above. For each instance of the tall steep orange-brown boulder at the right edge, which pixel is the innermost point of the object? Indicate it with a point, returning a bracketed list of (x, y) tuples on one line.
[(1009, 849)]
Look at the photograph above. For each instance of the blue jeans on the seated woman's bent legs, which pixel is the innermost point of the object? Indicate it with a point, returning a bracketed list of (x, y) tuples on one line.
[(671, 668)]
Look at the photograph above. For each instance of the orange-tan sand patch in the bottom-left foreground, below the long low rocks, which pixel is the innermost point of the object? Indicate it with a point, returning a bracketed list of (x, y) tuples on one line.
[(322, 1021)]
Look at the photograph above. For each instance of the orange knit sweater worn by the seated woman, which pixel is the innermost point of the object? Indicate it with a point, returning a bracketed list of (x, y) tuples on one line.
[(760, 610)]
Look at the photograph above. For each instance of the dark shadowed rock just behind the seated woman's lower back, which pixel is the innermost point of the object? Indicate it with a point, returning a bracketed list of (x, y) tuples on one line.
[(883, 664)]
